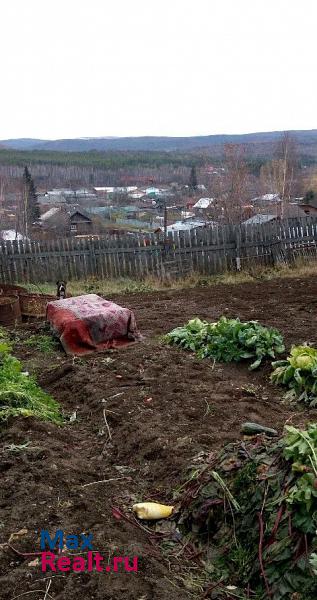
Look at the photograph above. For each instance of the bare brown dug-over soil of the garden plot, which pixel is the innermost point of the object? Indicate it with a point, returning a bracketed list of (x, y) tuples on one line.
[(164, 407)]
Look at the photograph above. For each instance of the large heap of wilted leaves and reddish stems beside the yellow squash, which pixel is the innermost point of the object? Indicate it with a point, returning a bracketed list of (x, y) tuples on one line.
[(251, 511)]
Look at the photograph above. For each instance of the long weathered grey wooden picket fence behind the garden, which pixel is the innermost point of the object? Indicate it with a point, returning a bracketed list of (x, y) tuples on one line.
[(206, 251)]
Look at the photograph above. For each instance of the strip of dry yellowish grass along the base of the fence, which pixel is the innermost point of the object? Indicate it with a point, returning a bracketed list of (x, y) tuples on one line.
[(126, 285)]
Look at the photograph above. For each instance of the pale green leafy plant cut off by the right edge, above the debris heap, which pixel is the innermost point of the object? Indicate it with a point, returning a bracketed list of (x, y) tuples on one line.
[(299, 373)]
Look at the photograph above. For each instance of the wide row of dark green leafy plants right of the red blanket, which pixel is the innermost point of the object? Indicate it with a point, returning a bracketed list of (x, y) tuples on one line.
[(228, 340)]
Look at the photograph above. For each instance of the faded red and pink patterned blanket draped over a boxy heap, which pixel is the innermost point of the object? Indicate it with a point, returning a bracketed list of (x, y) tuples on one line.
[(89, 323)]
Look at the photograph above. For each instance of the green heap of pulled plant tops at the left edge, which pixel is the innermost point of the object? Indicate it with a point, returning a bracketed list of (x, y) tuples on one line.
[(20, 394)]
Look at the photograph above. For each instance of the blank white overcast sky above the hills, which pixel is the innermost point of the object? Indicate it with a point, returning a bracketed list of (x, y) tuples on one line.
[(93, 68)]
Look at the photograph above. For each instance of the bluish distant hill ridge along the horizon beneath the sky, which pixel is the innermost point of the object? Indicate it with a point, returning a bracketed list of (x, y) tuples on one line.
[(305, 139)]
